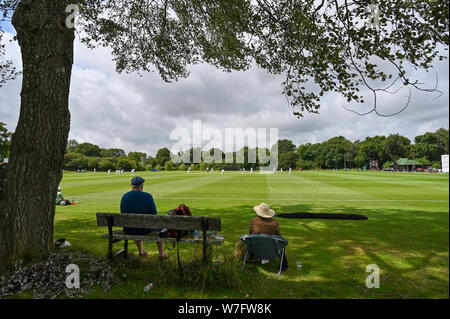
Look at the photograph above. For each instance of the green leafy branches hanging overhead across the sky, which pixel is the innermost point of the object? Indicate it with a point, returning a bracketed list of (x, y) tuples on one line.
[(318, 46)]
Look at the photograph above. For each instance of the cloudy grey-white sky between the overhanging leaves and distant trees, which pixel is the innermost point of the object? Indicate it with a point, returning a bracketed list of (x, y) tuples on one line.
[(137, 113)]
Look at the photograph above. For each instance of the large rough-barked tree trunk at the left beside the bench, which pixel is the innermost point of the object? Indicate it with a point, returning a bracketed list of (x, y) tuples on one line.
[(38, 144)]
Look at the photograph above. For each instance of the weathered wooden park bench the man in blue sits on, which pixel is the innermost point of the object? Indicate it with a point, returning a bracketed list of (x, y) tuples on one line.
[(204, 224)]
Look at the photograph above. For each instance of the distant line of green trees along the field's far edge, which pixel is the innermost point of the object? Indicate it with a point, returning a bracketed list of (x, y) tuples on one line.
[(337, 152)]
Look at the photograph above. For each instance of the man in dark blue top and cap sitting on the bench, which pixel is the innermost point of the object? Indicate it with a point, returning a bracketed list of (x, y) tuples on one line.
[(138, 202)]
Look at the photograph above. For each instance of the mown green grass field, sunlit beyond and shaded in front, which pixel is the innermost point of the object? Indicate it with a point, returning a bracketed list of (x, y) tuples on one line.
[(406, 235)]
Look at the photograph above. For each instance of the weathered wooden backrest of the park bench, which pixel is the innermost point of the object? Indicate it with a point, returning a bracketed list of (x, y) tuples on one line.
[(159, 221)]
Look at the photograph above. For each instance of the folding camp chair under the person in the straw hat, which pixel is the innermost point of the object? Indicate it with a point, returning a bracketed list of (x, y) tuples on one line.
[(265, 247)]
